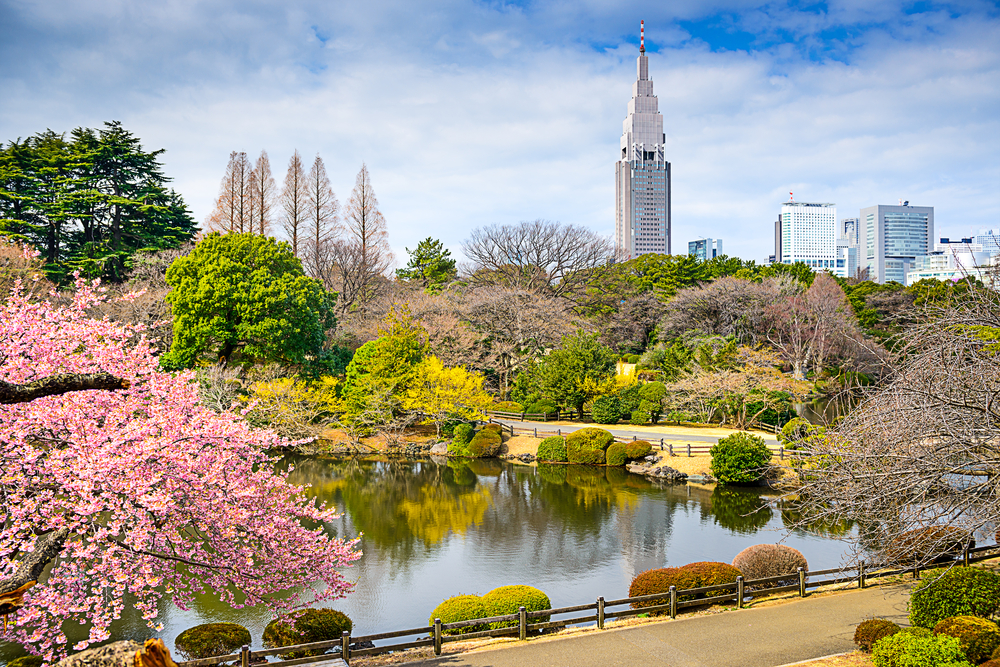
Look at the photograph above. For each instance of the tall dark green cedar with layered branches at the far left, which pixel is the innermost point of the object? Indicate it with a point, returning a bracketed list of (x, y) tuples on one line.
[(88, 203)]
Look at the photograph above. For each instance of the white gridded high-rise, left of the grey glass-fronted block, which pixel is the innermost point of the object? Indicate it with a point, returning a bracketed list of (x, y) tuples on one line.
[(808, 235)]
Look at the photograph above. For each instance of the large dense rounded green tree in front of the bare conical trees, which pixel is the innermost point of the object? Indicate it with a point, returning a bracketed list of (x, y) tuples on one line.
[(245, 294)]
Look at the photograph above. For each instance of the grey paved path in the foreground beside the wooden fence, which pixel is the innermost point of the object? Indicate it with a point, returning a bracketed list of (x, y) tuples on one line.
[(761, 637)]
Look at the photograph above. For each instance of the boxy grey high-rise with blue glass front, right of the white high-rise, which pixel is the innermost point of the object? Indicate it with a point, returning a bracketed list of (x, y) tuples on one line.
[(893, 237)]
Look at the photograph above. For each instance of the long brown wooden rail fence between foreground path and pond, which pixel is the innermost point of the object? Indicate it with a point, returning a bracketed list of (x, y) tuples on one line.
[(524, 622)]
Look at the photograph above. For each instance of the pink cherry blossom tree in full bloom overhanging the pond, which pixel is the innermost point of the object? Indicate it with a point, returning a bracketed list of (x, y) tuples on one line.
[(117, 480)]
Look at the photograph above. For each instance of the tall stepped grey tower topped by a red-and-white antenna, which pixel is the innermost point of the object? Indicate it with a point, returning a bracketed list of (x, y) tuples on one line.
[(642, 174)]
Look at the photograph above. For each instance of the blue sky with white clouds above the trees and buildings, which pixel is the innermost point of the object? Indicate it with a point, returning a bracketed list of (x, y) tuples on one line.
[(470, 113)]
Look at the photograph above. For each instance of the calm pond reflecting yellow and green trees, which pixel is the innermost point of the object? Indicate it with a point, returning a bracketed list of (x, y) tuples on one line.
[(436, 528)]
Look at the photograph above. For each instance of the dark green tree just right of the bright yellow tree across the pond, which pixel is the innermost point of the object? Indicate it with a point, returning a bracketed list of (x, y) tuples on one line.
[(569, 375)]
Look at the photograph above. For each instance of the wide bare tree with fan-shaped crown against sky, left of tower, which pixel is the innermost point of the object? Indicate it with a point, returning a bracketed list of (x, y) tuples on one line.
[(538, 255)]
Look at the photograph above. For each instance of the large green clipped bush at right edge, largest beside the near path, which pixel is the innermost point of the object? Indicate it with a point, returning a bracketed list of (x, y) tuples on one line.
[(960, 591)]
